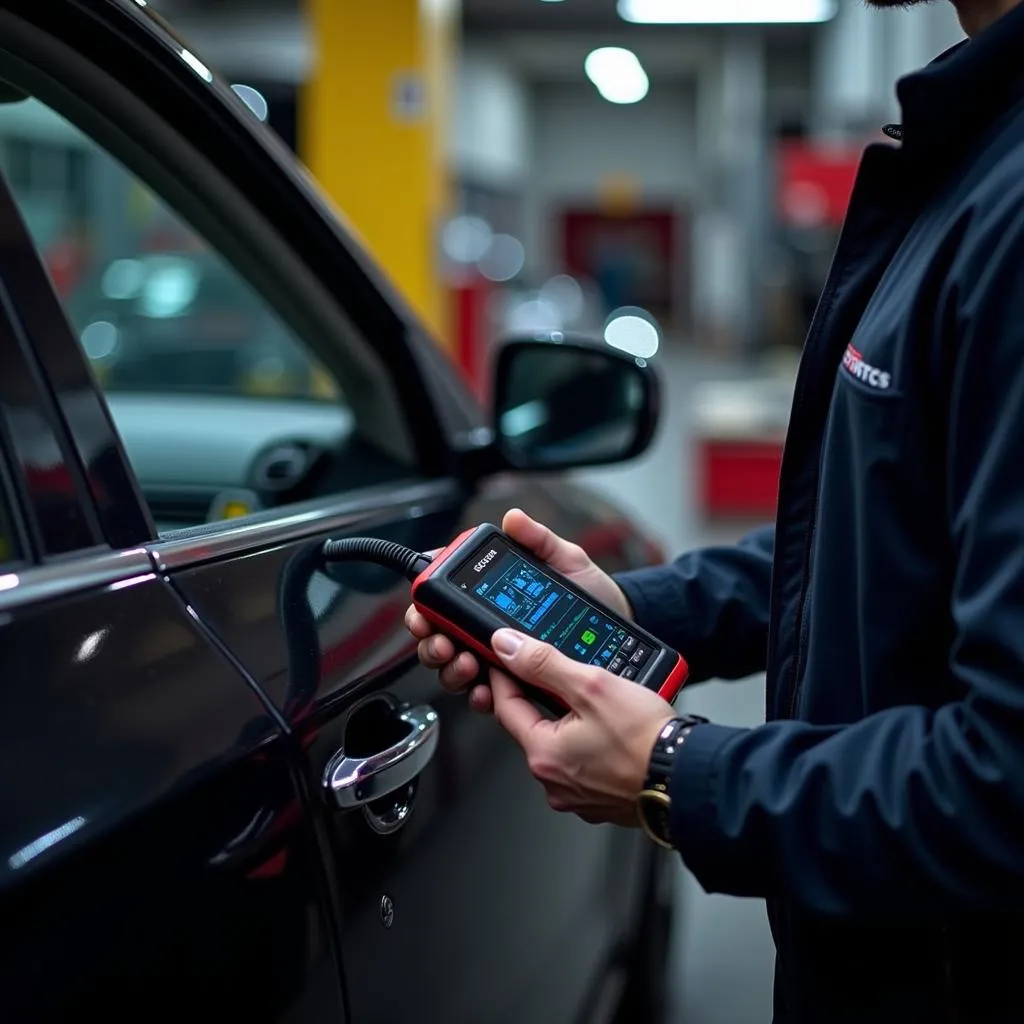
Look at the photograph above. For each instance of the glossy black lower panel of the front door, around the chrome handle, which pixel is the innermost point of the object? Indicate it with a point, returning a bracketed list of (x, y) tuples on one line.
[(482, 906)]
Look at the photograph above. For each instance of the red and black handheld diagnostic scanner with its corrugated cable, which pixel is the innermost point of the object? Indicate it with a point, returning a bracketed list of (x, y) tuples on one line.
[(484, 581)]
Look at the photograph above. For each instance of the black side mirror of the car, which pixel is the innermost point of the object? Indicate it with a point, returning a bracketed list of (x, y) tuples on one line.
[(563, 403)]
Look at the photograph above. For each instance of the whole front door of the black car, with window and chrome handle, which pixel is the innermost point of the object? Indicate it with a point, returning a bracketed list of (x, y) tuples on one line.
[(473, 902)]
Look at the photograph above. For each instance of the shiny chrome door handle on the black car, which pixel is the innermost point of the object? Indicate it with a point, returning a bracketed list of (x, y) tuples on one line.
[(354, 782)]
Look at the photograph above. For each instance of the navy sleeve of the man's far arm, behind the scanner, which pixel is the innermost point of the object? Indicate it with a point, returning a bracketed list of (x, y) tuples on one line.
[(711, 606)]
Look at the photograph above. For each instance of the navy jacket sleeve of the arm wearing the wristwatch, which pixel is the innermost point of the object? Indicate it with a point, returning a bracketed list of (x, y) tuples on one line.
[(912, 813)]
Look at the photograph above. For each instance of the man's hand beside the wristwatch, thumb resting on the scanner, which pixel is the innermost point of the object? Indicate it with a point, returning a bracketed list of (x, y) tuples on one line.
[(592, 762)]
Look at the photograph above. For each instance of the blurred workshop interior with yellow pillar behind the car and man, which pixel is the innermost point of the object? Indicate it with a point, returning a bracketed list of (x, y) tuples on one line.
[(669, 174)]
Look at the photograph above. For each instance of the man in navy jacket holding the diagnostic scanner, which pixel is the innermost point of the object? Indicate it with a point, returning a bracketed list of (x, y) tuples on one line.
[(881, 809)]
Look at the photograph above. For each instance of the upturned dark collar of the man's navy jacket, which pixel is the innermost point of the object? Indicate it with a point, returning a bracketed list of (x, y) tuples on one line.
[(950, 103)]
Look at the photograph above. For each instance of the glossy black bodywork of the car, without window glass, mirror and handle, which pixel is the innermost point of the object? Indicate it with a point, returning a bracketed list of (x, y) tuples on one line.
[(167, 847)]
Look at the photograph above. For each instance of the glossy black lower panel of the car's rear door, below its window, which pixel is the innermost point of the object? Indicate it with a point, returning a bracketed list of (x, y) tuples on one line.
[(150, 820)]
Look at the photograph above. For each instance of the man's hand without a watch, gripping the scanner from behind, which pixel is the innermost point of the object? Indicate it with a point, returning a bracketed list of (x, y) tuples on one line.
[(460, 670)]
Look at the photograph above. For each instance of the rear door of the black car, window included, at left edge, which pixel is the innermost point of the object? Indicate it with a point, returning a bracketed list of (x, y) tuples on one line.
[(156, 860)]
